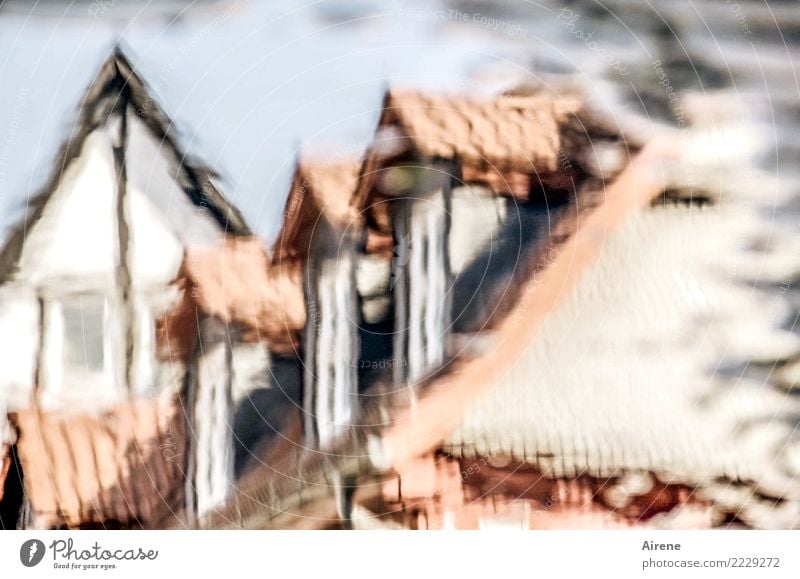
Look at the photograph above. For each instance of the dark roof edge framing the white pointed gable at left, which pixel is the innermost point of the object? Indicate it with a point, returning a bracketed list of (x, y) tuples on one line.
[(115, 88)]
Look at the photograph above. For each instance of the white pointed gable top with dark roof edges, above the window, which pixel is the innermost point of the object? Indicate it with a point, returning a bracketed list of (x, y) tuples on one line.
[(121, 139)]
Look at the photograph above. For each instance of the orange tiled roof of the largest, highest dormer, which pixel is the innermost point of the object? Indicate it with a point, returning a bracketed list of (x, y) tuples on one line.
[(508, 143)]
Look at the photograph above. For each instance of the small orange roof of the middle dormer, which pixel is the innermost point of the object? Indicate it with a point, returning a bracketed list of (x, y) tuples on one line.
[(321, 191)]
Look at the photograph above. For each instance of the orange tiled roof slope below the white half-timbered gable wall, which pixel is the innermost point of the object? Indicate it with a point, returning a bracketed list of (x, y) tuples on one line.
[(117, 468)]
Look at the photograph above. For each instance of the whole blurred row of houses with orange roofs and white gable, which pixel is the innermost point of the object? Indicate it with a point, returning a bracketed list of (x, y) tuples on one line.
[(502, 314)]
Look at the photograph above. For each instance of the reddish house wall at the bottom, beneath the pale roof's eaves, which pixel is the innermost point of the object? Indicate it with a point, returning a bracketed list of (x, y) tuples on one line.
[(495, 492)]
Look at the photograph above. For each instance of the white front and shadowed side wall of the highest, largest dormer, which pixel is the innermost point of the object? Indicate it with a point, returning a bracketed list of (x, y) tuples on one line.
[(461, 254)]
